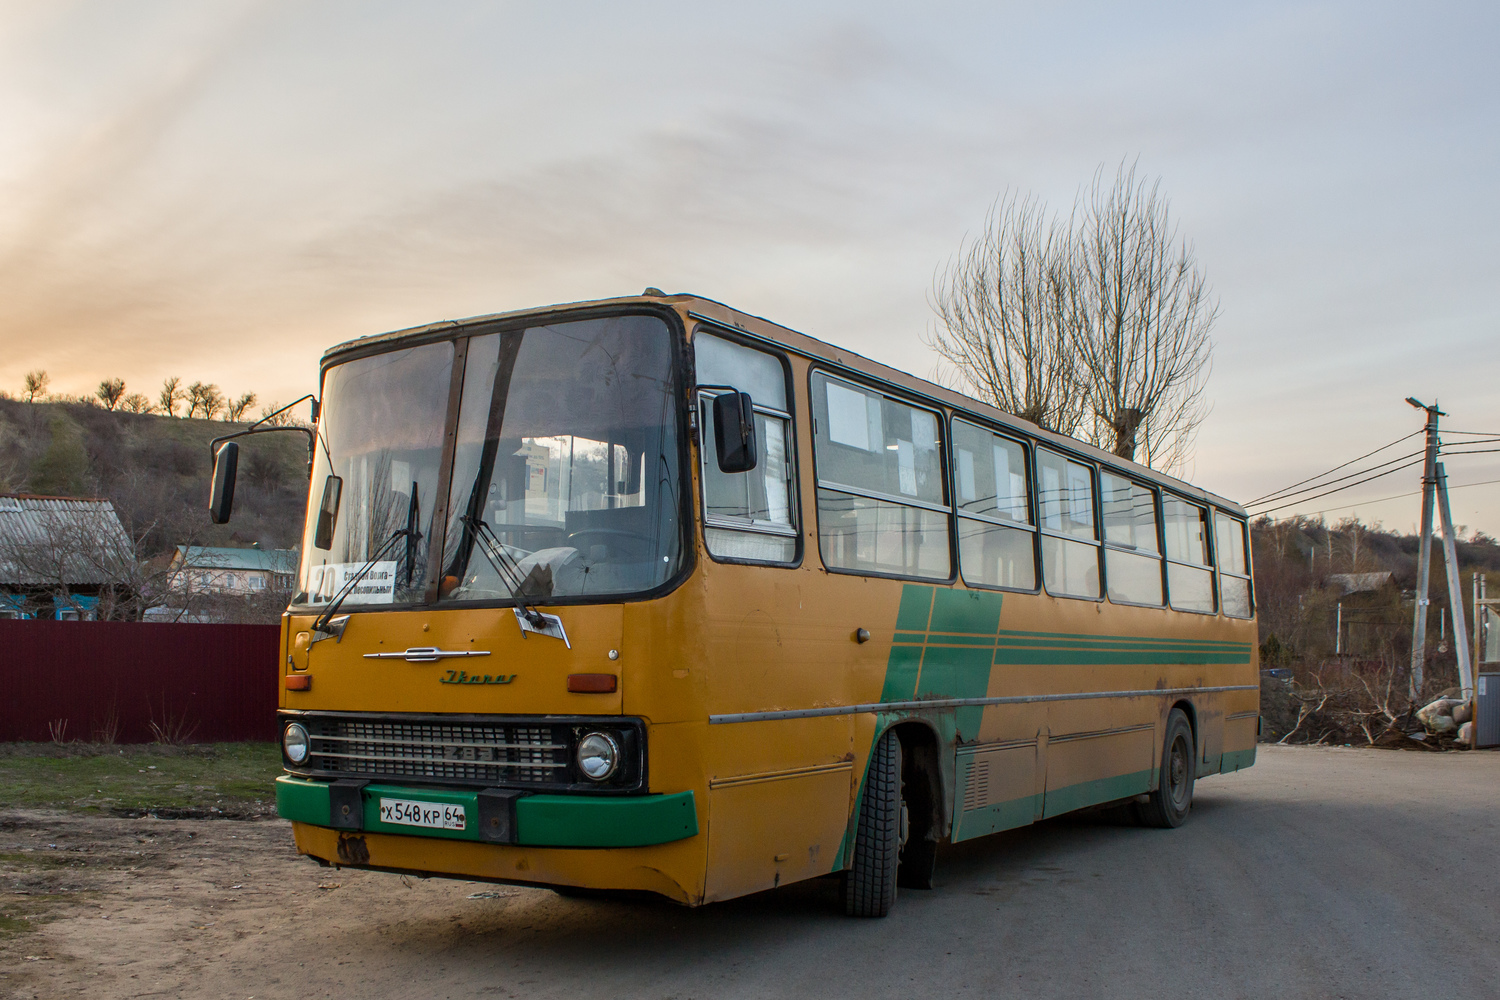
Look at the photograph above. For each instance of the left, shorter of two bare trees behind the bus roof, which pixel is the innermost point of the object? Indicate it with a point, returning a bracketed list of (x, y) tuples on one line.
[(1007, 316)]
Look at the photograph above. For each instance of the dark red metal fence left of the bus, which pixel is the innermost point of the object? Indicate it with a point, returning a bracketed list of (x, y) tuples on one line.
[(142, 680)]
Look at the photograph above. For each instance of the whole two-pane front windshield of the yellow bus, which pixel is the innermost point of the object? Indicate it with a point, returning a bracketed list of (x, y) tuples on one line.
[(566, 472)]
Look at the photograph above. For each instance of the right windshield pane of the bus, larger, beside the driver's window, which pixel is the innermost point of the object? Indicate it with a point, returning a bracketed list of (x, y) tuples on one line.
[(566, 472)]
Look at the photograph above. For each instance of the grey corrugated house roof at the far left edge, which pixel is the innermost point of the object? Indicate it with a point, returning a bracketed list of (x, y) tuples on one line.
[(61, 540)]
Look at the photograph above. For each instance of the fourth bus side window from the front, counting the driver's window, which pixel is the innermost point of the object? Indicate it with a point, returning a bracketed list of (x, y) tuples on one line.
[(1070, 549)]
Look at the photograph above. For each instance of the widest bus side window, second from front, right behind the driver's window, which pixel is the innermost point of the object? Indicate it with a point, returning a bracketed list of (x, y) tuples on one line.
[(881, 500)]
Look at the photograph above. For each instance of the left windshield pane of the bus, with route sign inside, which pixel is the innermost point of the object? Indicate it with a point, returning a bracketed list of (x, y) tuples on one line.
[(376, 470)]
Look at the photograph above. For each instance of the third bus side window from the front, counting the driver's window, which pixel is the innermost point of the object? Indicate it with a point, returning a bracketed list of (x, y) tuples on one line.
[(997, 540)]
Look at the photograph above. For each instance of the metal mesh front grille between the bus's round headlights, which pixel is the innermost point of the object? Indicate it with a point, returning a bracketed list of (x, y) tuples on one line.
[(469, 753)]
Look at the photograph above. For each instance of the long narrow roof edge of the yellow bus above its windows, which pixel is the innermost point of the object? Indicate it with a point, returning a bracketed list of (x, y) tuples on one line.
[(761, 329)]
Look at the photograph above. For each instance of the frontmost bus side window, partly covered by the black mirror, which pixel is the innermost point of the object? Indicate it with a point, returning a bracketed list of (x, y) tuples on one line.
[(752, 515)]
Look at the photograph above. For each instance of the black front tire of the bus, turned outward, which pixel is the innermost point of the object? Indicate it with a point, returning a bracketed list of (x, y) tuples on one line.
[(871, 882)]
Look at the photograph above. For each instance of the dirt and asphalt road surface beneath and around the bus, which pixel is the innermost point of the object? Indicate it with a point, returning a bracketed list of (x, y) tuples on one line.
[(1319, 873)]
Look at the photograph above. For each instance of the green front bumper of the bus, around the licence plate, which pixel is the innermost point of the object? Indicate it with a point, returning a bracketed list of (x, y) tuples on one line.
[(542, 821)]
